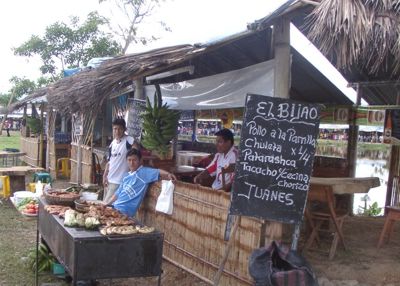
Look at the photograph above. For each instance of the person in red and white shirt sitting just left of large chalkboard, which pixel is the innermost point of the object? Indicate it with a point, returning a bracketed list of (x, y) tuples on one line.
[(224, 159)]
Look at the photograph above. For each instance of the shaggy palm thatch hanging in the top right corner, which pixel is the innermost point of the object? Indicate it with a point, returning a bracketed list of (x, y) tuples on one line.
[(363, 33)]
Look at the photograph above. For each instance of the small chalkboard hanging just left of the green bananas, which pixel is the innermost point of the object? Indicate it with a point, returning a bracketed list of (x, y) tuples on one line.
[(134, 122)]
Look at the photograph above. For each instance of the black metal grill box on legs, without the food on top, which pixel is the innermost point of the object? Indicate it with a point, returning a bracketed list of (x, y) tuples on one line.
[(88, 255)]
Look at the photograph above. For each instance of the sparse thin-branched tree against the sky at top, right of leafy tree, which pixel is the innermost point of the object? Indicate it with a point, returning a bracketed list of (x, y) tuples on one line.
[(134, 13)]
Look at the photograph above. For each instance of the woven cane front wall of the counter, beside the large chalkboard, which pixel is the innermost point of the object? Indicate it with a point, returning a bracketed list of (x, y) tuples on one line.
[(194, 233)]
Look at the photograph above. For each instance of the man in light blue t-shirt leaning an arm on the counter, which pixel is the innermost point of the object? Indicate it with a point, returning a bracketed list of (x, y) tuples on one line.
[(131, 191)]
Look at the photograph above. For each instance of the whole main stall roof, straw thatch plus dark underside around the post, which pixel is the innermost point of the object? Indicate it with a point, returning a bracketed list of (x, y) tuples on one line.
[(88, 89)]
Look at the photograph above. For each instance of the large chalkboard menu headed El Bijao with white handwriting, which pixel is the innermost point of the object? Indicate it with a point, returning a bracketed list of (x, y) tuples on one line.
[(277, 148)]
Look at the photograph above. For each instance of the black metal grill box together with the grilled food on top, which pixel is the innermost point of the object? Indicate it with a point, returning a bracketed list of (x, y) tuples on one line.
[(90, 251)]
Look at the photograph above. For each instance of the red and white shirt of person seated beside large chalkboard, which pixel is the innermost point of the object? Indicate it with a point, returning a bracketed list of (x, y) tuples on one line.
[(222, 161)]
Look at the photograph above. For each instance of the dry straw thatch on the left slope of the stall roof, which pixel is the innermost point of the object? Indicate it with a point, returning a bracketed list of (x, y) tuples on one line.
[(89, 88)]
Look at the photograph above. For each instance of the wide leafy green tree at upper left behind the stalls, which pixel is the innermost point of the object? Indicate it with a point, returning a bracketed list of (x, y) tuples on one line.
[(70, 46)]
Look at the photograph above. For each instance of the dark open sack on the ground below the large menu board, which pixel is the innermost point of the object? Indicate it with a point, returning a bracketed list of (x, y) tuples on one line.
[(277, 265)]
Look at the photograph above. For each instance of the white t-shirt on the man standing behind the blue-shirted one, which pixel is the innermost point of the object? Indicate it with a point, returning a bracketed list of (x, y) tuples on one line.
[(118, 166)]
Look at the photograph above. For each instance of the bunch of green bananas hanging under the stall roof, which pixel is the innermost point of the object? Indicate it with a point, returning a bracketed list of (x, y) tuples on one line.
[(159, 125)]
